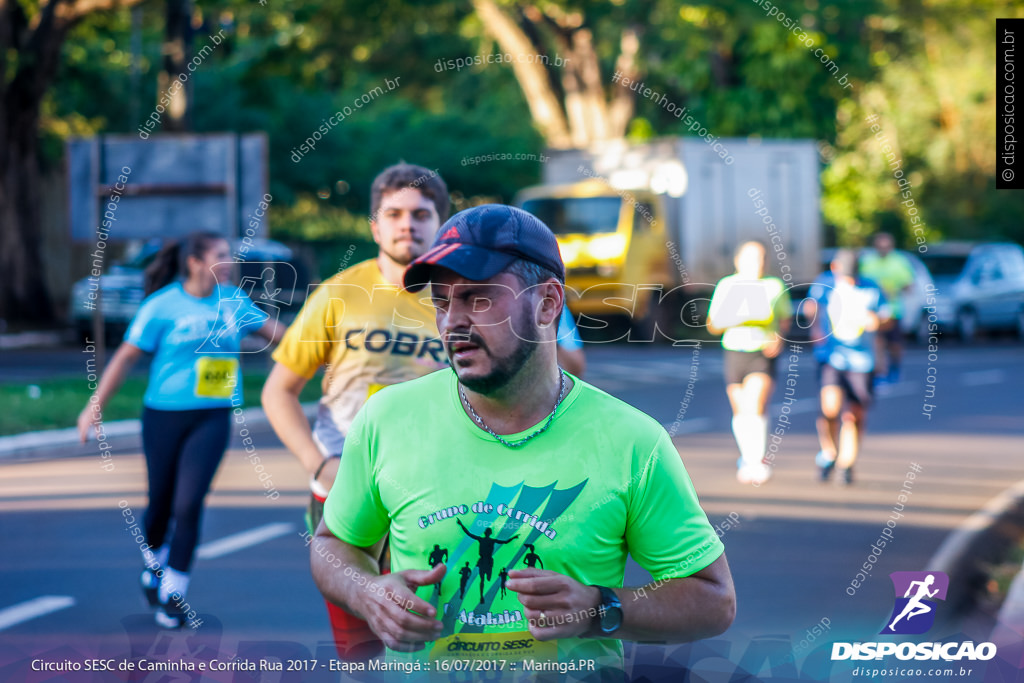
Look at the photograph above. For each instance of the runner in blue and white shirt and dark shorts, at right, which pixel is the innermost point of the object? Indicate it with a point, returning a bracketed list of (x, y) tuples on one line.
[(847, 311)]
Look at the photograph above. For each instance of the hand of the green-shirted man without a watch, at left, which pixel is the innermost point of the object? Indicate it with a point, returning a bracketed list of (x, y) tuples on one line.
[(387, 603)]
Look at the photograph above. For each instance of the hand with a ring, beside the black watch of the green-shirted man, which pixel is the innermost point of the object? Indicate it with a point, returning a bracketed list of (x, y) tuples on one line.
[(558, 607)]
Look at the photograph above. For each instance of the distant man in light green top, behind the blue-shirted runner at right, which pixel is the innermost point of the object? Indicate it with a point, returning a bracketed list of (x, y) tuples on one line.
[(893, 273)]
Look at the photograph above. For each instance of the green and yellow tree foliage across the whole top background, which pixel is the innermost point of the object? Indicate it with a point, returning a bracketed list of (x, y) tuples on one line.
[(925, 70)]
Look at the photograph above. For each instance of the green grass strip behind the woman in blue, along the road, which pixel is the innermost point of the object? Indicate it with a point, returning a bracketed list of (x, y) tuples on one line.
[(60, 401)]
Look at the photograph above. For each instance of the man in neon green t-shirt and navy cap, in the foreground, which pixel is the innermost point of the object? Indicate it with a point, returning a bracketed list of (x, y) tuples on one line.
[(505, 459)]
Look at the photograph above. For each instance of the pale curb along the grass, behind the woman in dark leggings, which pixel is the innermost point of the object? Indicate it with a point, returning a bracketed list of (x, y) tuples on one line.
[(52, 444)]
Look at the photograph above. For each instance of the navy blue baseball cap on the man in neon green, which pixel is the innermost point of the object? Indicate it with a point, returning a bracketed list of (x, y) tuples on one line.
[(482, 242)]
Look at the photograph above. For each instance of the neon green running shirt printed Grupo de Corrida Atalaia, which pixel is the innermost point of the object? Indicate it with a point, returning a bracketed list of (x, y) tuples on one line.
[(605, 481)]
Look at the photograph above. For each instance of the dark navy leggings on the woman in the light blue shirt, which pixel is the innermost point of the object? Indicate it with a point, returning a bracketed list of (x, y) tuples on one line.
[(183, 452)]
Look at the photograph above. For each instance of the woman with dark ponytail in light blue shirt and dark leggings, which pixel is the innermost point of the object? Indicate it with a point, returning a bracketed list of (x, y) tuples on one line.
[(193, 322)]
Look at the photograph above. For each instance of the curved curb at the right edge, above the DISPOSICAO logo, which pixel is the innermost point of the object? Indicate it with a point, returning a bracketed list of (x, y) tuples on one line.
[(985, 539)]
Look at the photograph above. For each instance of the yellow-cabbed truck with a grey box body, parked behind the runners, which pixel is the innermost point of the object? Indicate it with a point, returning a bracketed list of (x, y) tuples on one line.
[(647, 231)]
